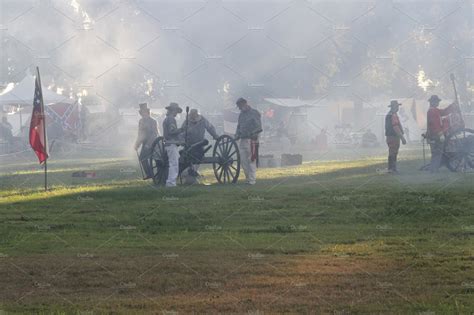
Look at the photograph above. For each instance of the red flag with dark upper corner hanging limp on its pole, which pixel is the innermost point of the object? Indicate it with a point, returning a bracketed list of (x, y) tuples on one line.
[(37, 126)]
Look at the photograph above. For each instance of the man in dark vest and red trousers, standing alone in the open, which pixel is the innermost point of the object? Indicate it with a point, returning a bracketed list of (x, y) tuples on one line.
[(393, 134)]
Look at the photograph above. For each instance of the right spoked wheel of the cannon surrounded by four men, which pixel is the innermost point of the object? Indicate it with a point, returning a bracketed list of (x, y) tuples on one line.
[(227, 156)]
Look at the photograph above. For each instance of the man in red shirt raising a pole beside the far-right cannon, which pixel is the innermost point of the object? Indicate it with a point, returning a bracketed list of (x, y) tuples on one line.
[(436, 130)]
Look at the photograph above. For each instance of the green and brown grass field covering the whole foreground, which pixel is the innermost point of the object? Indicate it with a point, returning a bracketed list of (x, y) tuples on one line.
[(325, 237)]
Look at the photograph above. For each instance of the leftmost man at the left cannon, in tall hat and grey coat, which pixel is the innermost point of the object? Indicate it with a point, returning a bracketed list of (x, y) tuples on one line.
[(147, 133)]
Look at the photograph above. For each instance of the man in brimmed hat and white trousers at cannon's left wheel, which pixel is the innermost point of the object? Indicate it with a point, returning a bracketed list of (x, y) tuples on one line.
[(173, 139)]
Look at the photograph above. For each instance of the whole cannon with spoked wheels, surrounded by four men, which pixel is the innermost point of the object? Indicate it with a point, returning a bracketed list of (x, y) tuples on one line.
[(225, 159)]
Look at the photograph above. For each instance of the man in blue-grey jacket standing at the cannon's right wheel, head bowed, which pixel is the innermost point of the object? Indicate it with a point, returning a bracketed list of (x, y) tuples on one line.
[(249, 127)]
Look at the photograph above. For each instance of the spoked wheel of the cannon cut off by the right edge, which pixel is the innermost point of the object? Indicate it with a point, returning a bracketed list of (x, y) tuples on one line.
[(460, 160)]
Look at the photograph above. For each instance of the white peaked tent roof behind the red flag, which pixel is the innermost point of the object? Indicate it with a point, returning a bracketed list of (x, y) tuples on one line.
[(22, 94)]
